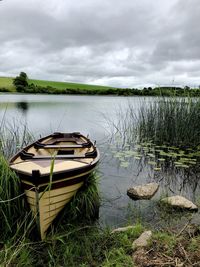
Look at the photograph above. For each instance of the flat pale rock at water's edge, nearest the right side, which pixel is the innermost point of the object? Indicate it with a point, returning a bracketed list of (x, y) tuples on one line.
[(180, 202)]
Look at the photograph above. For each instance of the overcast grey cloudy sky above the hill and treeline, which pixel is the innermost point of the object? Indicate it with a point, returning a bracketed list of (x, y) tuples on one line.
[(124, 43)]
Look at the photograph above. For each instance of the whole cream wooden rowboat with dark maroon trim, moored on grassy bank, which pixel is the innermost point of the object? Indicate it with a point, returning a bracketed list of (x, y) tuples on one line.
[(52, 170)]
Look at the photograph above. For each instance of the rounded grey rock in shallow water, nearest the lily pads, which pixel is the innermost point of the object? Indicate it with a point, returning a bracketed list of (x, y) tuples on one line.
[(146, 191)]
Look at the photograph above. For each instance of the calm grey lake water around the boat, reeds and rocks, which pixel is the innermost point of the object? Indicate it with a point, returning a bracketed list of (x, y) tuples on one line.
[(90, 115)]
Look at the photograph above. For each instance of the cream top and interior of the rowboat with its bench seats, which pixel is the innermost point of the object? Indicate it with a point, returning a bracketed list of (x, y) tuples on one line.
[(63, 151)]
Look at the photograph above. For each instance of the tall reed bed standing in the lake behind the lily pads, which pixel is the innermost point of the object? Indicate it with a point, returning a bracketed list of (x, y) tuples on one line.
[(173, 121)]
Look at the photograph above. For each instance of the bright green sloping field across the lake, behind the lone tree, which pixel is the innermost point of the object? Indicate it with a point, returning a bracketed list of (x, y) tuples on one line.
[(6, 82)]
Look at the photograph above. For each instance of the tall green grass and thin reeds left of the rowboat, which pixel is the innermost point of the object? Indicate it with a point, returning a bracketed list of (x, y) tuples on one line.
[(15, 216)]
